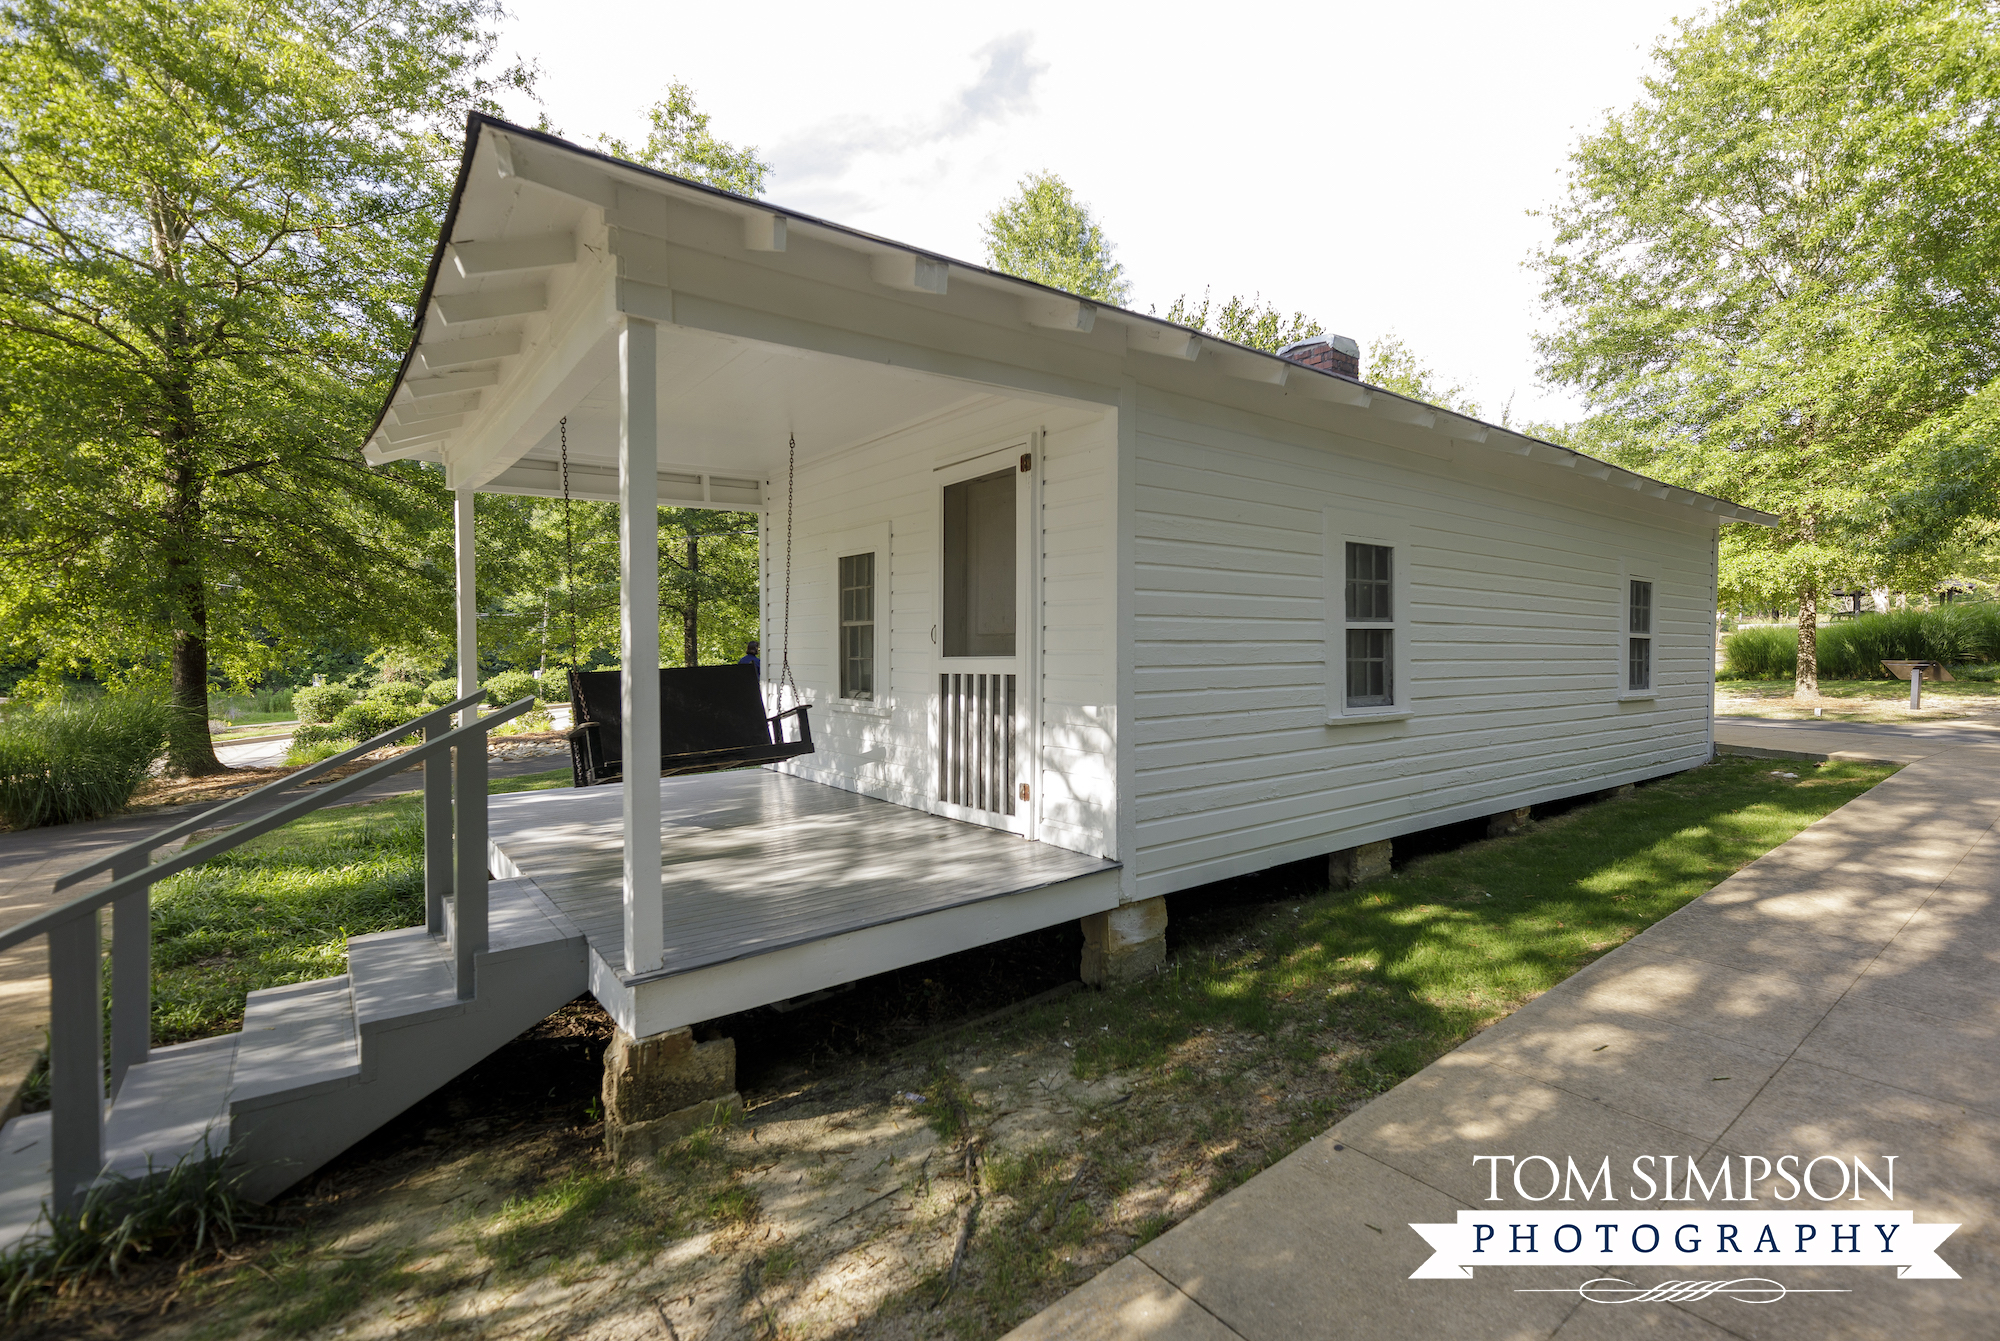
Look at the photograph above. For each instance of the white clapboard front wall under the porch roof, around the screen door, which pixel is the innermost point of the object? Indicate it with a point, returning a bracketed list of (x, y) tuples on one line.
[(887, 750)]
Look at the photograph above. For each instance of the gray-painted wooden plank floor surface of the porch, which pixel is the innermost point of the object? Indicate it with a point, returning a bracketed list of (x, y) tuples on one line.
[(757, 862)]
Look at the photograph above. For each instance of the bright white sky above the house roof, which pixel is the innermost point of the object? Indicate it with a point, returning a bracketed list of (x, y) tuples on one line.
[(1375, 167)]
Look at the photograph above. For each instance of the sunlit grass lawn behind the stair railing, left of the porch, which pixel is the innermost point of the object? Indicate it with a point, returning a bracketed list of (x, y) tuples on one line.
[(281, 908)]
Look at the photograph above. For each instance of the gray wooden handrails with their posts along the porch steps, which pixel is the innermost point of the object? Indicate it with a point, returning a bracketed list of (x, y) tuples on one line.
[(455, 802)]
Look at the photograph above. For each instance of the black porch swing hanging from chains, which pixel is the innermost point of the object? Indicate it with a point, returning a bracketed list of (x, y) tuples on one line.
[(711, 718)]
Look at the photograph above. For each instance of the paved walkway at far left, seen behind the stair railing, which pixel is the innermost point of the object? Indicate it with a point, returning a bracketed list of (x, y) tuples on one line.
[(33, 860)]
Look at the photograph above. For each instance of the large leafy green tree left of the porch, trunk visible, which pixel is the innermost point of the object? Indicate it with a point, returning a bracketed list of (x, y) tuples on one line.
[(213, 219)]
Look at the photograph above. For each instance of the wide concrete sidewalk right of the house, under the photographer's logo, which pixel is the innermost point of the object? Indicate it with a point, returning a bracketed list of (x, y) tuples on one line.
[(1839, 996)]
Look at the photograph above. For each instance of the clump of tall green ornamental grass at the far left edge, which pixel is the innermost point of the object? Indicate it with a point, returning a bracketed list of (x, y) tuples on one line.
[(81, 760)]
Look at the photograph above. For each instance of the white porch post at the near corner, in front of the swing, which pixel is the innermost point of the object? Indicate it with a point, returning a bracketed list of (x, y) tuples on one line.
[(639, 587)]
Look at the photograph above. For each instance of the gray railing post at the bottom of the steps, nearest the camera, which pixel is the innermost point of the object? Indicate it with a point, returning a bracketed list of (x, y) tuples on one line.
[(75, 1060)]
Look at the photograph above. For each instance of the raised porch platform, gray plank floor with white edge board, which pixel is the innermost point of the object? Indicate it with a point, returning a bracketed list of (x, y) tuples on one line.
[(775, 886)]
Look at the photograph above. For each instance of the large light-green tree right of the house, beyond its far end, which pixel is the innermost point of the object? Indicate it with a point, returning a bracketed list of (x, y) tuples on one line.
[(1777, 281)]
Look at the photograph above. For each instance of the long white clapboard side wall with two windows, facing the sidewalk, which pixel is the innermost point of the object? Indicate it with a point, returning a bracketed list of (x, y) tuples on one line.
[(1515, 643)]
